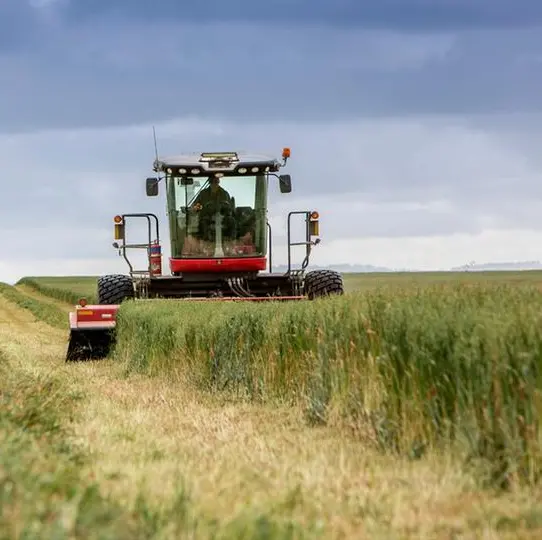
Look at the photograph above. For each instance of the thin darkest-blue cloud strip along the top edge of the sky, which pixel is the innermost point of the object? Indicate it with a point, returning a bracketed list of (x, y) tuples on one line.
[(409, 14)]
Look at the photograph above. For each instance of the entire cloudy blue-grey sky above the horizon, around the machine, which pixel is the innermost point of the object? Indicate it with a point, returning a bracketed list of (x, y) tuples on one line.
[(415, 125)]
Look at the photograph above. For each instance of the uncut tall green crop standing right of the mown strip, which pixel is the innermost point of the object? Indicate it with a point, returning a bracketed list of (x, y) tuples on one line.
[(442, 365)]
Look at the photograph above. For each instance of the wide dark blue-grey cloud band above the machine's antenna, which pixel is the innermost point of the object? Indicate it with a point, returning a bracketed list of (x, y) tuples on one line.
[(231, 73)]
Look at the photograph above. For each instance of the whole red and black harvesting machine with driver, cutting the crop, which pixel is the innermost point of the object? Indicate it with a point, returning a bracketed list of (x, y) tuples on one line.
[(220, 241)]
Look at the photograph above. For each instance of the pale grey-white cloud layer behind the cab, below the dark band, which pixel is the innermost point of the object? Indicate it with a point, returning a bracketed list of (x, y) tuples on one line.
[(376, 178)]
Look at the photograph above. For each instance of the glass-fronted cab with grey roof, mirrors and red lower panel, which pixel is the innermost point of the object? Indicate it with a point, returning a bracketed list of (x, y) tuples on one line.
[(217, 208)]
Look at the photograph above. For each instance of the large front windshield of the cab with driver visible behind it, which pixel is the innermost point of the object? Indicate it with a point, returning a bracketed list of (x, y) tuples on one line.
[(218, 217)]
